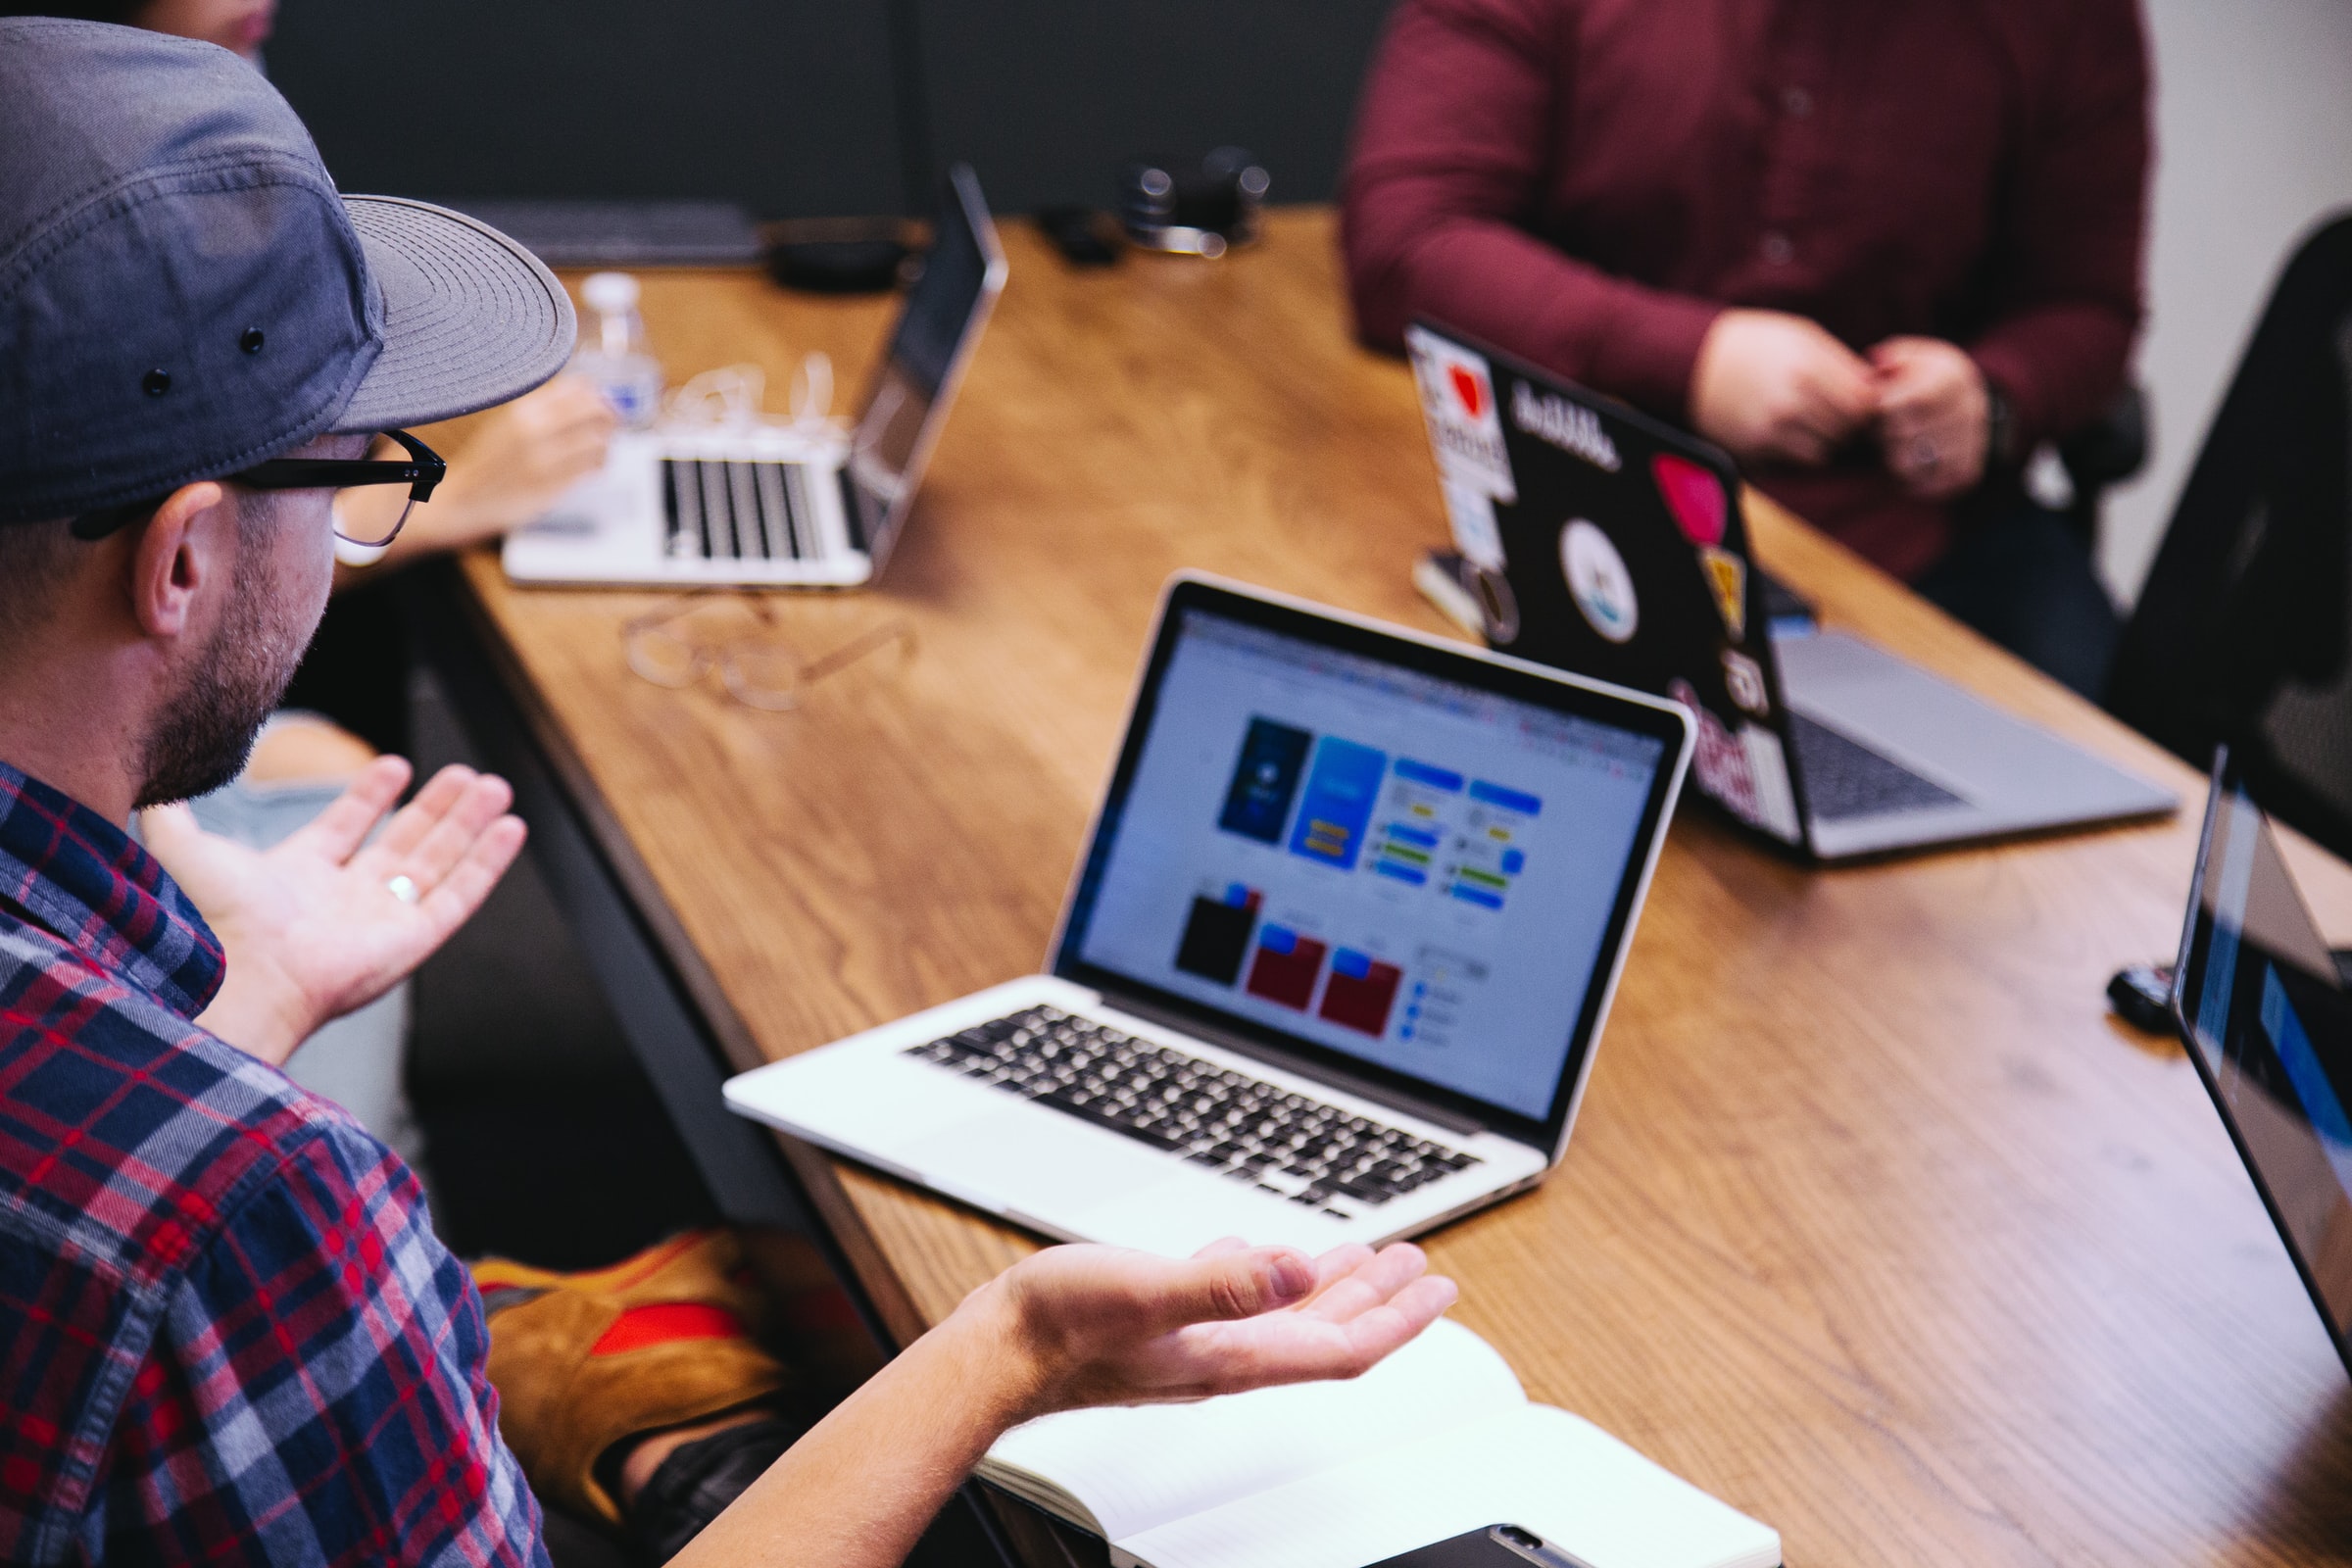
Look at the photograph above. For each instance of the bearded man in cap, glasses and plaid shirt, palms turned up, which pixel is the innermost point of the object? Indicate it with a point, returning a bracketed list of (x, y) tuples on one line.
[(227, 1329)]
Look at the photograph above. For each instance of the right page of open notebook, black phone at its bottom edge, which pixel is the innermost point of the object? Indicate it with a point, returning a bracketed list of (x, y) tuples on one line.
[(1530, 1466)]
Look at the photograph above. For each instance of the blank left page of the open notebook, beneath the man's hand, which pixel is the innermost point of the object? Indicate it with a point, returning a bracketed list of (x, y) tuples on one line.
[(1142, 1466)]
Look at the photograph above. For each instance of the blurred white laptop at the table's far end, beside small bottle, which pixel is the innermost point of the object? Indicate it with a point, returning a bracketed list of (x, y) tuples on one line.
[(780, 504)]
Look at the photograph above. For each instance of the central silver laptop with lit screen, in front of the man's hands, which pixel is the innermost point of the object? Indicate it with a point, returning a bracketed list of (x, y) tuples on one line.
[(1330, 970)]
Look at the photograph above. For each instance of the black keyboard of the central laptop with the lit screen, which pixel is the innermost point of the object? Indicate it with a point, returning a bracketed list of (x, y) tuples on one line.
[(1278, 1141)]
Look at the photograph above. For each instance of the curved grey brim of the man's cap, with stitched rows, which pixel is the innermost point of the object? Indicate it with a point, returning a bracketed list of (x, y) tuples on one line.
[(469, 316)]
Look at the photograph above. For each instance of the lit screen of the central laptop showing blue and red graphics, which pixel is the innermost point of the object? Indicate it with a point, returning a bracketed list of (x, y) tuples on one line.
[(1405, 862)]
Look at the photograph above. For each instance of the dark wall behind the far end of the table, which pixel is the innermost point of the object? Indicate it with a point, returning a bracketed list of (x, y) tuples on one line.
[(796, 109)]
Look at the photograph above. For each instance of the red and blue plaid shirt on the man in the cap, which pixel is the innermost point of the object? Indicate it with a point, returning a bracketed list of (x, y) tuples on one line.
[(227, 1329)]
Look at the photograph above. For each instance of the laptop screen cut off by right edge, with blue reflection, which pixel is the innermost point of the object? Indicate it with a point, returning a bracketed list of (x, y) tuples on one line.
[(2269, 1021)]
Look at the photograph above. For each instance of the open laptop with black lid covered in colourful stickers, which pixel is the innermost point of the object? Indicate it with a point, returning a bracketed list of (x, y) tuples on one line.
[(1612, 544)]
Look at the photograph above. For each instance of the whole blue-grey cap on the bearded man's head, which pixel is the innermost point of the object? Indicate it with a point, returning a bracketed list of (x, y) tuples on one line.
[(185, 293)]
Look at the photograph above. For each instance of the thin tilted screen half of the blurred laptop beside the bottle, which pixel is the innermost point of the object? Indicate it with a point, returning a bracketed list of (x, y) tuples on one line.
[(926, 361)]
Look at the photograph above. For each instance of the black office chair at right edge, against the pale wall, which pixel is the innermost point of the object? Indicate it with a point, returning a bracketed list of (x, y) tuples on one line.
[(2243, 629)]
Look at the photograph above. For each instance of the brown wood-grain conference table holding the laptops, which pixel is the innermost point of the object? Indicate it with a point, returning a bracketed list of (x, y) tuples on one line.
[(1876, 1224)]
